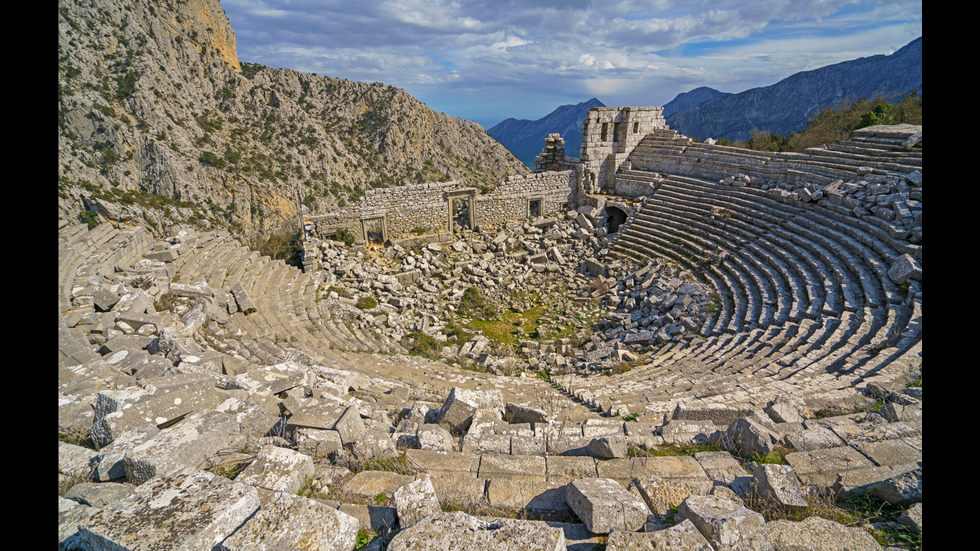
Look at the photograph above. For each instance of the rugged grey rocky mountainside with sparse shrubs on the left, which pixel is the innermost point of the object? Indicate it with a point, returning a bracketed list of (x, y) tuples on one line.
[(160, 124)]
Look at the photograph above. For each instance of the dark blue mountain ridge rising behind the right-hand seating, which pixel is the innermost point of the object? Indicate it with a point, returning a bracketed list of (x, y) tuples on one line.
[(787, 105)]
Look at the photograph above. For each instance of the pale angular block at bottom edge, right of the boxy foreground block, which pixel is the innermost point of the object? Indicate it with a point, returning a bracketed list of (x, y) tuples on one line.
[(726, 524)]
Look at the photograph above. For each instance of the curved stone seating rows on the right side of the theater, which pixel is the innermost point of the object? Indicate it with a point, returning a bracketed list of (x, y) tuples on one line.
[(806, 299)]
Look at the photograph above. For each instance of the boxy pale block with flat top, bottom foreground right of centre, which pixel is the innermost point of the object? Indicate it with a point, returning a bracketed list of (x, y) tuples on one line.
[(603, 505)]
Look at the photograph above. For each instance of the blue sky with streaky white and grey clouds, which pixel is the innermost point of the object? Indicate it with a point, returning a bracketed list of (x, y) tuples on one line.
[(486, 61)]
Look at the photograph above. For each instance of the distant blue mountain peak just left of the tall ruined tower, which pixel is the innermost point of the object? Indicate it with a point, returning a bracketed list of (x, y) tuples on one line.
[(525, 138)]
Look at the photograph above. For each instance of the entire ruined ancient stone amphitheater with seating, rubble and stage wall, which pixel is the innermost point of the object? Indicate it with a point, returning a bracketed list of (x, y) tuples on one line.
[(768, 307)]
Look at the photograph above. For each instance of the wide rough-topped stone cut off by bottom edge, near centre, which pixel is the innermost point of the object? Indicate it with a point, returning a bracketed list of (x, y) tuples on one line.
[(442, 531)]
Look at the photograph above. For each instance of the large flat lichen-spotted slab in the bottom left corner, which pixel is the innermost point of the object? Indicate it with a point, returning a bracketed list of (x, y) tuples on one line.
[(187, 509)]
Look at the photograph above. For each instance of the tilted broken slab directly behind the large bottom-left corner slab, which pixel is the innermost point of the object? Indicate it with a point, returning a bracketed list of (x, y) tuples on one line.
[(199, 441)]
